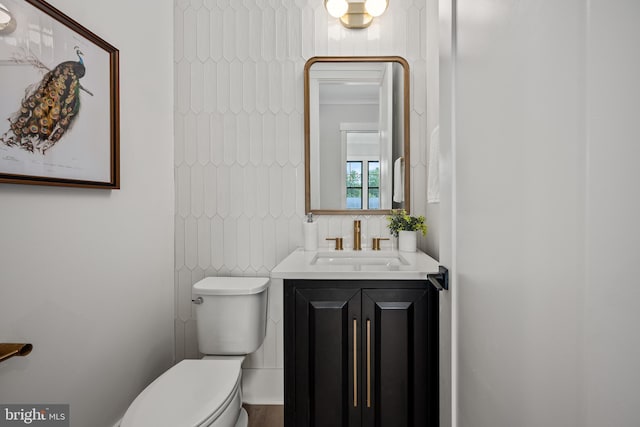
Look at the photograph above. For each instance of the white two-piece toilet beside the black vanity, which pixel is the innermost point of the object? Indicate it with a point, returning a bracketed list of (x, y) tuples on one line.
[(231, 314)]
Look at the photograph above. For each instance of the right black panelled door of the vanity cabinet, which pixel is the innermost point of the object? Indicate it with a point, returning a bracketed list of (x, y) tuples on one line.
[(400, 357)]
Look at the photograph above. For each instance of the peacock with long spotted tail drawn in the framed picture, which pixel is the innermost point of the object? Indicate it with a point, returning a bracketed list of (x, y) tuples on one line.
[(49, 108)]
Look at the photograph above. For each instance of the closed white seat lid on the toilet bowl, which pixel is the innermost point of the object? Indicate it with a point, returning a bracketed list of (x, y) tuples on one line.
[(191, 392)]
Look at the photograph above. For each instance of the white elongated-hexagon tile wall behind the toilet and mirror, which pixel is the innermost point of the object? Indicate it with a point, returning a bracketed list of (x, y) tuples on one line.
[(239, 138)]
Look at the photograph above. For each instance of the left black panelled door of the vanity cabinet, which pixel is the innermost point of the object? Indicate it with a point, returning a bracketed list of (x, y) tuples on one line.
[(327, 348)]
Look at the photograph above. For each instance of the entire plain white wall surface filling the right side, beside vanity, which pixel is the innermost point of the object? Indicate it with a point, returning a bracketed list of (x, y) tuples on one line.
[(545, 99)]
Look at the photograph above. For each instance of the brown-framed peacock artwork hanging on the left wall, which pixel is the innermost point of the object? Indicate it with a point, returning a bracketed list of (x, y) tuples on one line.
[(59, 101)]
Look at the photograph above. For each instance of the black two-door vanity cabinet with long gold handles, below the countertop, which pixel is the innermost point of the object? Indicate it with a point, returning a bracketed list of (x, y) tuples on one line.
[(360, 353)]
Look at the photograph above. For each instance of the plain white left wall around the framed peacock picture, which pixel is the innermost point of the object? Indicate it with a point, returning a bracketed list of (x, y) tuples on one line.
[(87, 275)]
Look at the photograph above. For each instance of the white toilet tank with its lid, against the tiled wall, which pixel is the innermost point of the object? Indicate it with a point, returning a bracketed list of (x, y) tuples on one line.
[(232, 318)]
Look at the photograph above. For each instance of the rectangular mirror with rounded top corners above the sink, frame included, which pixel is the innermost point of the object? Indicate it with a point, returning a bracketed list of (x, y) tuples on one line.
[(356, 122)]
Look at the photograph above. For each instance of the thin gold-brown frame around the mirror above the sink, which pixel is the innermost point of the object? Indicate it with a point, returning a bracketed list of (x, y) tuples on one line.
[(307, 134)]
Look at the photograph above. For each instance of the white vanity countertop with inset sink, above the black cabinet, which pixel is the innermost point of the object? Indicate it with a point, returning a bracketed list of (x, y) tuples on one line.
[(403, 265)]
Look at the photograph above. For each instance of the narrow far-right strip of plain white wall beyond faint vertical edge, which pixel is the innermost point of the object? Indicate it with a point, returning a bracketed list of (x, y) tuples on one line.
[(612, 342)]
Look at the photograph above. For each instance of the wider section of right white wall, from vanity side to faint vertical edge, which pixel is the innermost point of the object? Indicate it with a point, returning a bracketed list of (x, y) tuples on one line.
[(520, 212)]
